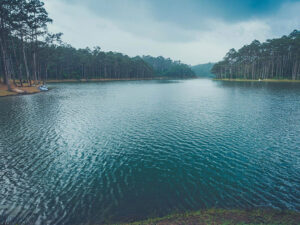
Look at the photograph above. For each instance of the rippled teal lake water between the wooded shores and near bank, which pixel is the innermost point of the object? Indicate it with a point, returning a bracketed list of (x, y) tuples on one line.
[(90, 153)]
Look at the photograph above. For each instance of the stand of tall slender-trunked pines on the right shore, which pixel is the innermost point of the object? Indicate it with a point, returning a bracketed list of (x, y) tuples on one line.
[(274, 59)]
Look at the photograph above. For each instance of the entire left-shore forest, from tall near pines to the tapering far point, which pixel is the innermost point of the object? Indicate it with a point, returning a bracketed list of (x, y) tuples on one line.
[(30, 53)]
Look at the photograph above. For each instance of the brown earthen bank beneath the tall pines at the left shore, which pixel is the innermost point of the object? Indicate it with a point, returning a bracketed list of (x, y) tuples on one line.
[(16, 90)]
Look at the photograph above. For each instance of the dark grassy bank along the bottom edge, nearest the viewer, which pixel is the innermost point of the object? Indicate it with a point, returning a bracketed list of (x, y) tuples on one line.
[(222, 216)]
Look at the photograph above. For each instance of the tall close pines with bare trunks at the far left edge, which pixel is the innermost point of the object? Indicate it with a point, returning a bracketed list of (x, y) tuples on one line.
[(22, 23)]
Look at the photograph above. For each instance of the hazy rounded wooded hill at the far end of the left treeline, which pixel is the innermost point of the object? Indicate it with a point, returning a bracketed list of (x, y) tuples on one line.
[(168, 68)]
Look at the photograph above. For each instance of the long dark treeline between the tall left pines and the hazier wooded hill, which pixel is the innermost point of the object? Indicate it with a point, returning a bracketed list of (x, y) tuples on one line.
[(66, 62)]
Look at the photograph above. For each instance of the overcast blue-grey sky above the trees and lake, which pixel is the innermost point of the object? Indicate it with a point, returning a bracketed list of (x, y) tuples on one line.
[(192, 31)]
